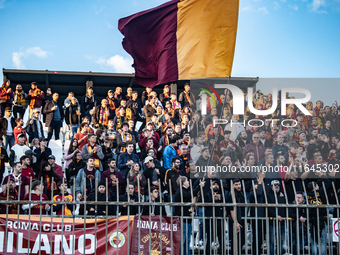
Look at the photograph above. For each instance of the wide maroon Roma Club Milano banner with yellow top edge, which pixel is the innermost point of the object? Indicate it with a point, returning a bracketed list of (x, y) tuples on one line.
[(73, 236)]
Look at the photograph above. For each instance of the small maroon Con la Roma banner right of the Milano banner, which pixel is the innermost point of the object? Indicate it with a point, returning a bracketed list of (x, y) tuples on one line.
[(156, 234)]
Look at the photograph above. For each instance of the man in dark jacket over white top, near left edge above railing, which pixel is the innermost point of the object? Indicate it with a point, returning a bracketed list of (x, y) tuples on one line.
[(20, 180)]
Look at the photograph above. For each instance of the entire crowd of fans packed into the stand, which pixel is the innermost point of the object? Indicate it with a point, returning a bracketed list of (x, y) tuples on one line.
[(109, 160)]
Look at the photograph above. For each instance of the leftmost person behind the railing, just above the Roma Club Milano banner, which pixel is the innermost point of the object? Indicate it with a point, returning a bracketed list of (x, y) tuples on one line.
[(10, 194)]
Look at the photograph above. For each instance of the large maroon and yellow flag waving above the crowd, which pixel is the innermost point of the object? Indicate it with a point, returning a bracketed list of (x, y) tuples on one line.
[(181, 40)]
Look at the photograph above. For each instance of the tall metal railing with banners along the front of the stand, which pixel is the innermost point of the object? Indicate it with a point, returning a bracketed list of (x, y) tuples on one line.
[(302, 229)]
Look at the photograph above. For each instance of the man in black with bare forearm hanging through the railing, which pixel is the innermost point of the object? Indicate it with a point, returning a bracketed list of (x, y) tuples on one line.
[(238, 218)]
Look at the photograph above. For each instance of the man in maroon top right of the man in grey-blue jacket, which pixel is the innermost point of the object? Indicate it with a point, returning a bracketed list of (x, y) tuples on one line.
[(113, 177)]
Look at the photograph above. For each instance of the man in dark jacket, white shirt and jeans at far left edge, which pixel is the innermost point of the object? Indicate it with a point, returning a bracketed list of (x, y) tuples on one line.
[(7, 128)]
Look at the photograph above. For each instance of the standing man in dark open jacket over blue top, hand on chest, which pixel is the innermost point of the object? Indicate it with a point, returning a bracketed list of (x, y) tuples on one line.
[(54, 116)]
